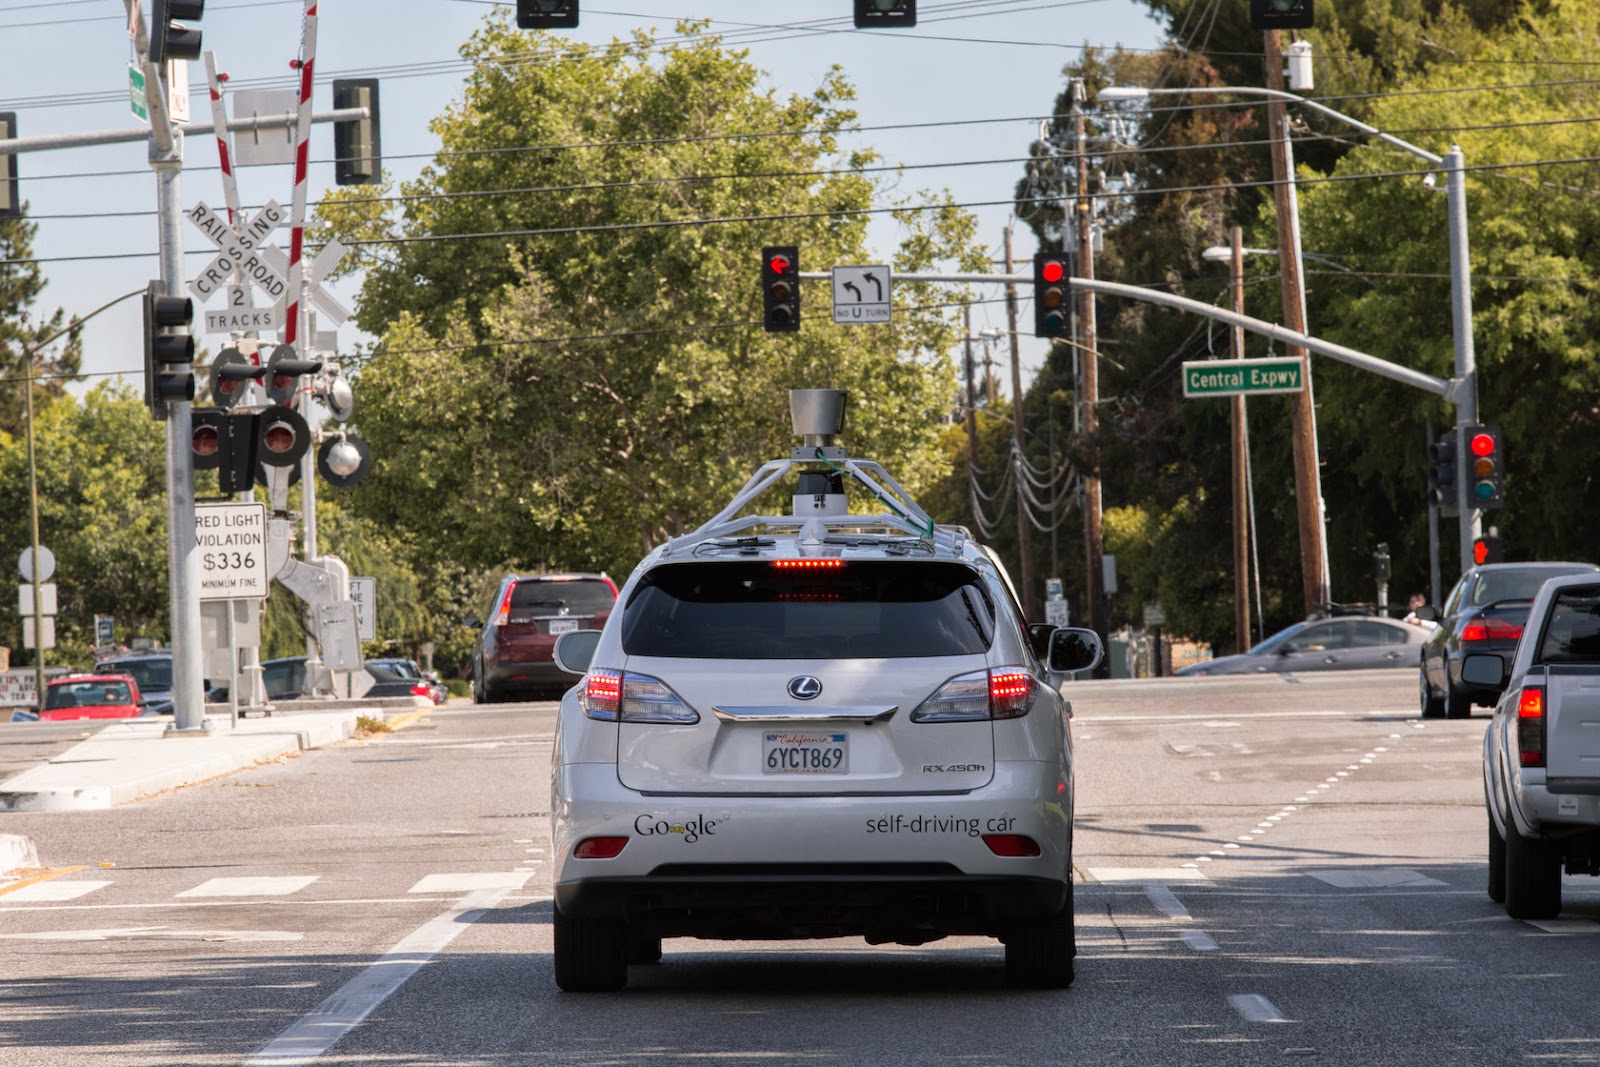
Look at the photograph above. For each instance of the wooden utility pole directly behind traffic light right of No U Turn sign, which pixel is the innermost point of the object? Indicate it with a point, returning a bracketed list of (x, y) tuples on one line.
[(1089, 377)]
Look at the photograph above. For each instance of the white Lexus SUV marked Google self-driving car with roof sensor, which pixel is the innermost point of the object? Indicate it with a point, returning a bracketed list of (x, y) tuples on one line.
[(815, 725)]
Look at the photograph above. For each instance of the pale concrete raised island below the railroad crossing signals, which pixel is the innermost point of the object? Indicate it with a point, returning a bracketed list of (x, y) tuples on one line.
[(134, 759)]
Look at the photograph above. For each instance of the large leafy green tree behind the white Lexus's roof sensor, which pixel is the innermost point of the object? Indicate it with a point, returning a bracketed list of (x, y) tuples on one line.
[(586, 375)]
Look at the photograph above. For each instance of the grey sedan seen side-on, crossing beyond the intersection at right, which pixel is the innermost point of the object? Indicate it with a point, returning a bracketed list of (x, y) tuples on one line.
[(1342, 644)]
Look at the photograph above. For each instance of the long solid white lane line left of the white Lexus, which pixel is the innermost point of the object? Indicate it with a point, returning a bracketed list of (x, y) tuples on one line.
[(318, 1031)]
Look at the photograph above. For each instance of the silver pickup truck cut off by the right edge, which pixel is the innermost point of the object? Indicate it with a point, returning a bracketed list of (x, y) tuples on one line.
[(1542, 751)]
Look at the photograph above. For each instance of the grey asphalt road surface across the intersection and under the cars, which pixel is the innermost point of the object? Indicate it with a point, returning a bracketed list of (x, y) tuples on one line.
[(1271, 871)]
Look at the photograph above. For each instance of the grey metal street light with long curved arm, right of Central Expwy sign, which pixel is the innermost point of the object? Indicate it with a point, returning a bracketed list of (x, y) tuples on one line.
[(1465, 393)]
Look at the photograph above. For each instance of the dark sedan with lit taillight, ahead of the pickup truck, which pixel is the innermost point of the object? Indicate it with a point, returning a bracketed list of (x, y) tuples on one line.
[(1484, 613)]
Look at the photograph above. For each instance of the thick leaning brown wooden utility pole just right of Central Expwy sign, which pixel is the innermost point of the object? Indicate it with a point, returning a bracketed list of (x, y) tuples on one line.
[(1303, 415)]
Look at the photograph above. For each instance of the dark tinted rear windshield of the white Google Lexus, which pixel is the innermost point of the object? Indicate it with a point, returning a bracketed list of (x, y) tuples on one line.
[(865, 610)]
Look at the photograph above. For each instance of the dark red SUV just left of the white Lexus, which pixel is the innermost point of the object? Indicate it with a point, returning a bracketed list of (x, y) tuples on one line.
[(514, 653)]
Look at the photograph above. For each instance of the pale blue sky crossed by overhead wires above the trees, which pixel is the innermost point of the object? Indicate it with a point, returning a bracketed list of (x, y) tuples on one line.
[(66, 71)]
